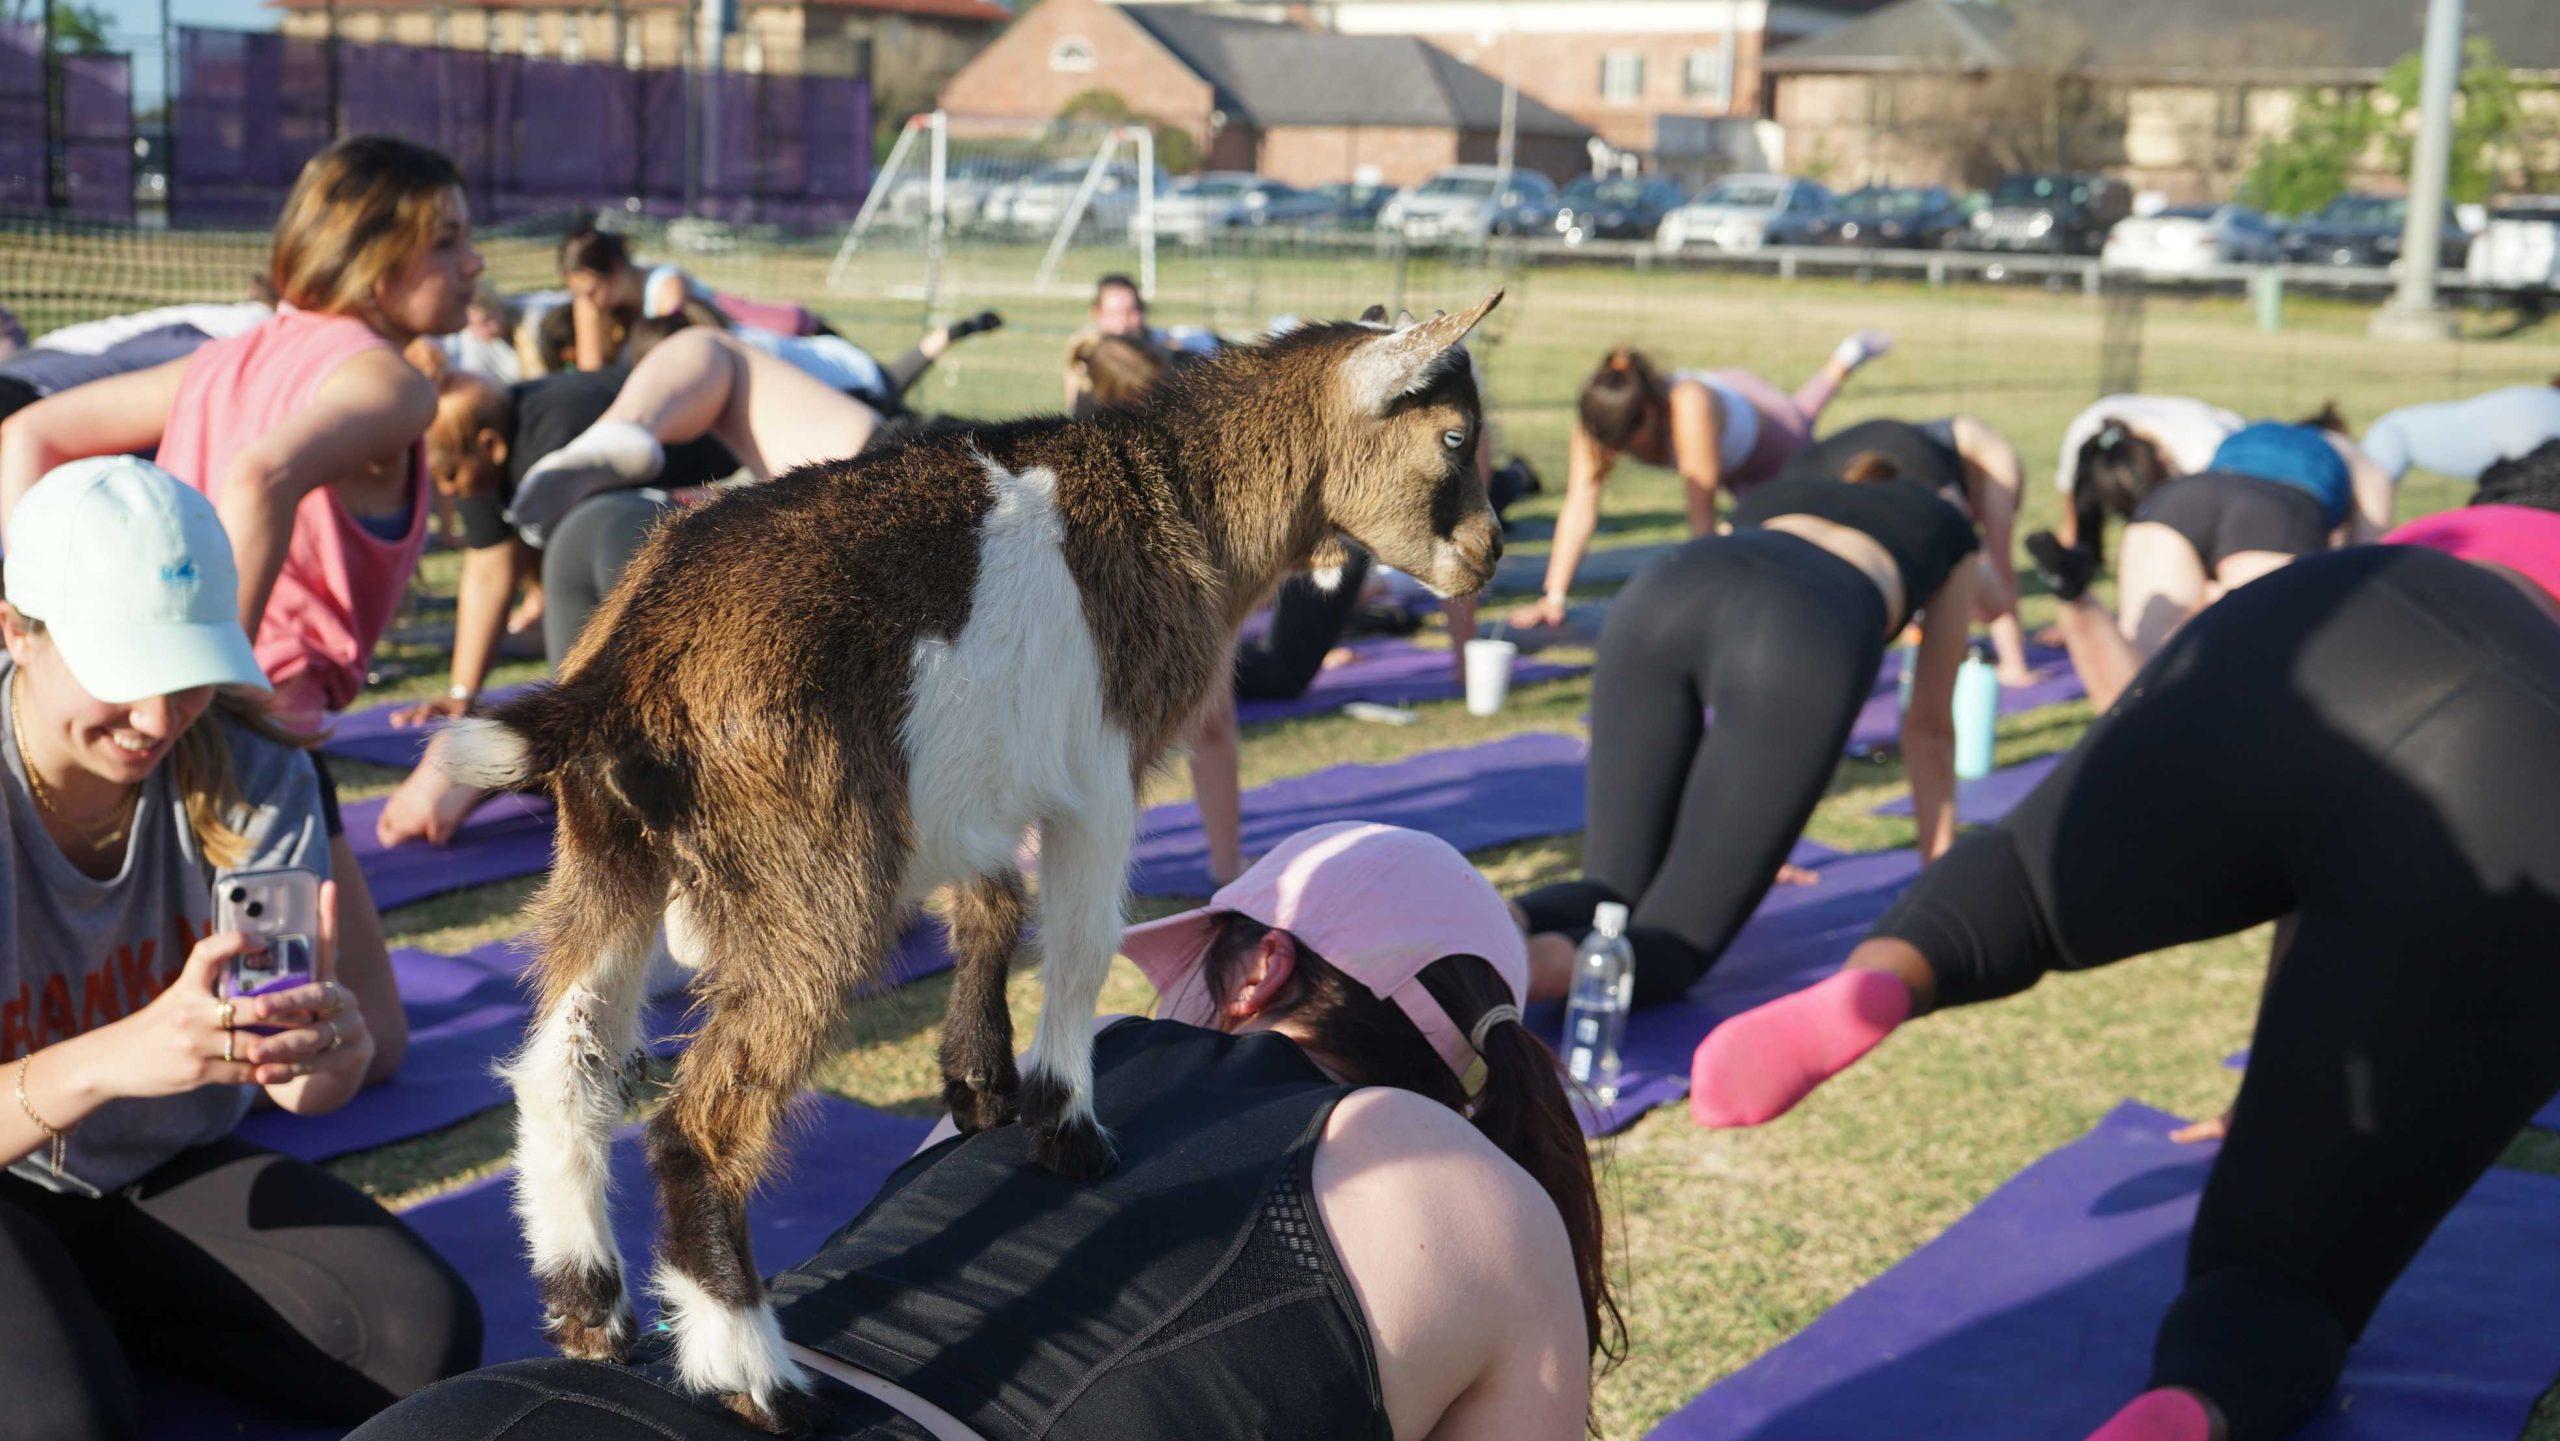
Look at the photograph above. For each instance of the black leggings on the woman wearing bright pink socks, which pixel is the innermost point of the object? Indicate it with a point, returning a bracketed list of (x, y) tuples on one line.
[(2367, 741)]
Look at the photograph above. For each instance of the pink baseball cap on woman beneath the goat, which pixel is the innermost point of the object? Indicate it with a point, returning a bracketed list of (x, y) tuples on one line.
[(1379, 902)]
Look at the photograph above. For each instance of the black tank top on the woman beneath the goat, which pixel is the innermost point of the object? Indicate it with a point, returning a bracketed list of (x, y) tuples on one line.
[(1189, 1294)]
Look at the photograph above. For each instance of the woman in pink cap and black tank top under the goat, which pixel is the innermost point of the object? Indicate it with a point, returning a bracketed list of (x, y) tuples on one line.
[(1350, 1202)]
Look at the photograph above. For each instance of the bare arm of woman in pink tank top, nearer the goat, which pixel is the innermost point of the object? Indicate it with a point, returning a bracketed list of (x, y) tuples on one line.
[(367, 413)]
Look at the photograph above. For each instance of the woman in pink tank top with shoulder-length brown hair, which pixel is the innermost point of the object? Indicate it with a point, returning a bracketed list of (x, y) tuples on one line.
[(306, 436)]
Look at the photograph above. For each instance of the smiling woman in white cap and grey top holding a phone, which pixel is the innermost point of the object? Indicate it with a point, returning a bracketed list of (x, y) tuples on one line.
[(140, 774)]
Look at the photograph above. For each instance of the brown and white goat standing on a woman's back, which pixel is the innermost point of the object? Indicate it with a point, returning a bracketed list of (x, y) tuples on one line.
[(815, 703)]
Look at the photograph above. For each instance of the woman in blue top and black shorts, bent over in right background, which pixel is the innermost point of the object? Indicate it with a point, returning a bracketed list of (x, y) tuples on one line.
[(2269, 495)]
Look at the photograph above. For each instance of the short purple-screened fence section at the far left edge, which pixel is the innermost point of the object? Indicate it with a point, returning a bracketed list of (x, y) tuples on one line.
[(65, 137)]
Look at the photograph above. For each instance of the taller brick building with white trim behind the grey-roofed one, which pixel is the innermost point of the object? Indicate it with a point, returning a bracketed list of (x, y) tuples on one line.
[(1668, 81)]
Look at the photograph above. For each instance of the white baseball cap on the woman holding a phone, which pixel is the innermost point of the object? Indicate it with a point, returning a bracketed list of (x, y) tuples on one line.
[(132, 577)]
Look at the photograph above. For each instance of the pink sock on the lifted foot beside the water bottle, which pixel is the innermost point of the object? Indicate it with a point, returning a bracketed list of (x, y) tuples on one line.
[(1757, 1066)]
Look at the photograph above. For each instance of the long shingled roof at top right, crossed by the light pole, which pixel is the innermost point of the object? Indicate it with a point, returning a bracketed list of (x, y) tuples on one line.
[(2264, 40)]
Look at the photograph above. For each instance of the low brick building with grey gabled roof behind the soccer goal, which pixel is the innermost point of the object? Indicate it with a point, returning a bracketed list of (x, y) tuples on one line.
[(1281, 99)]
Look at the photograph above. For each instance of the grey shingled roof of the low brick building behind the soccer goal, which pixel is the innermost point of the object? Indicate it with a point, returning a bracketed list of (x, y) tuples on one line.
[(1289, 76)]
